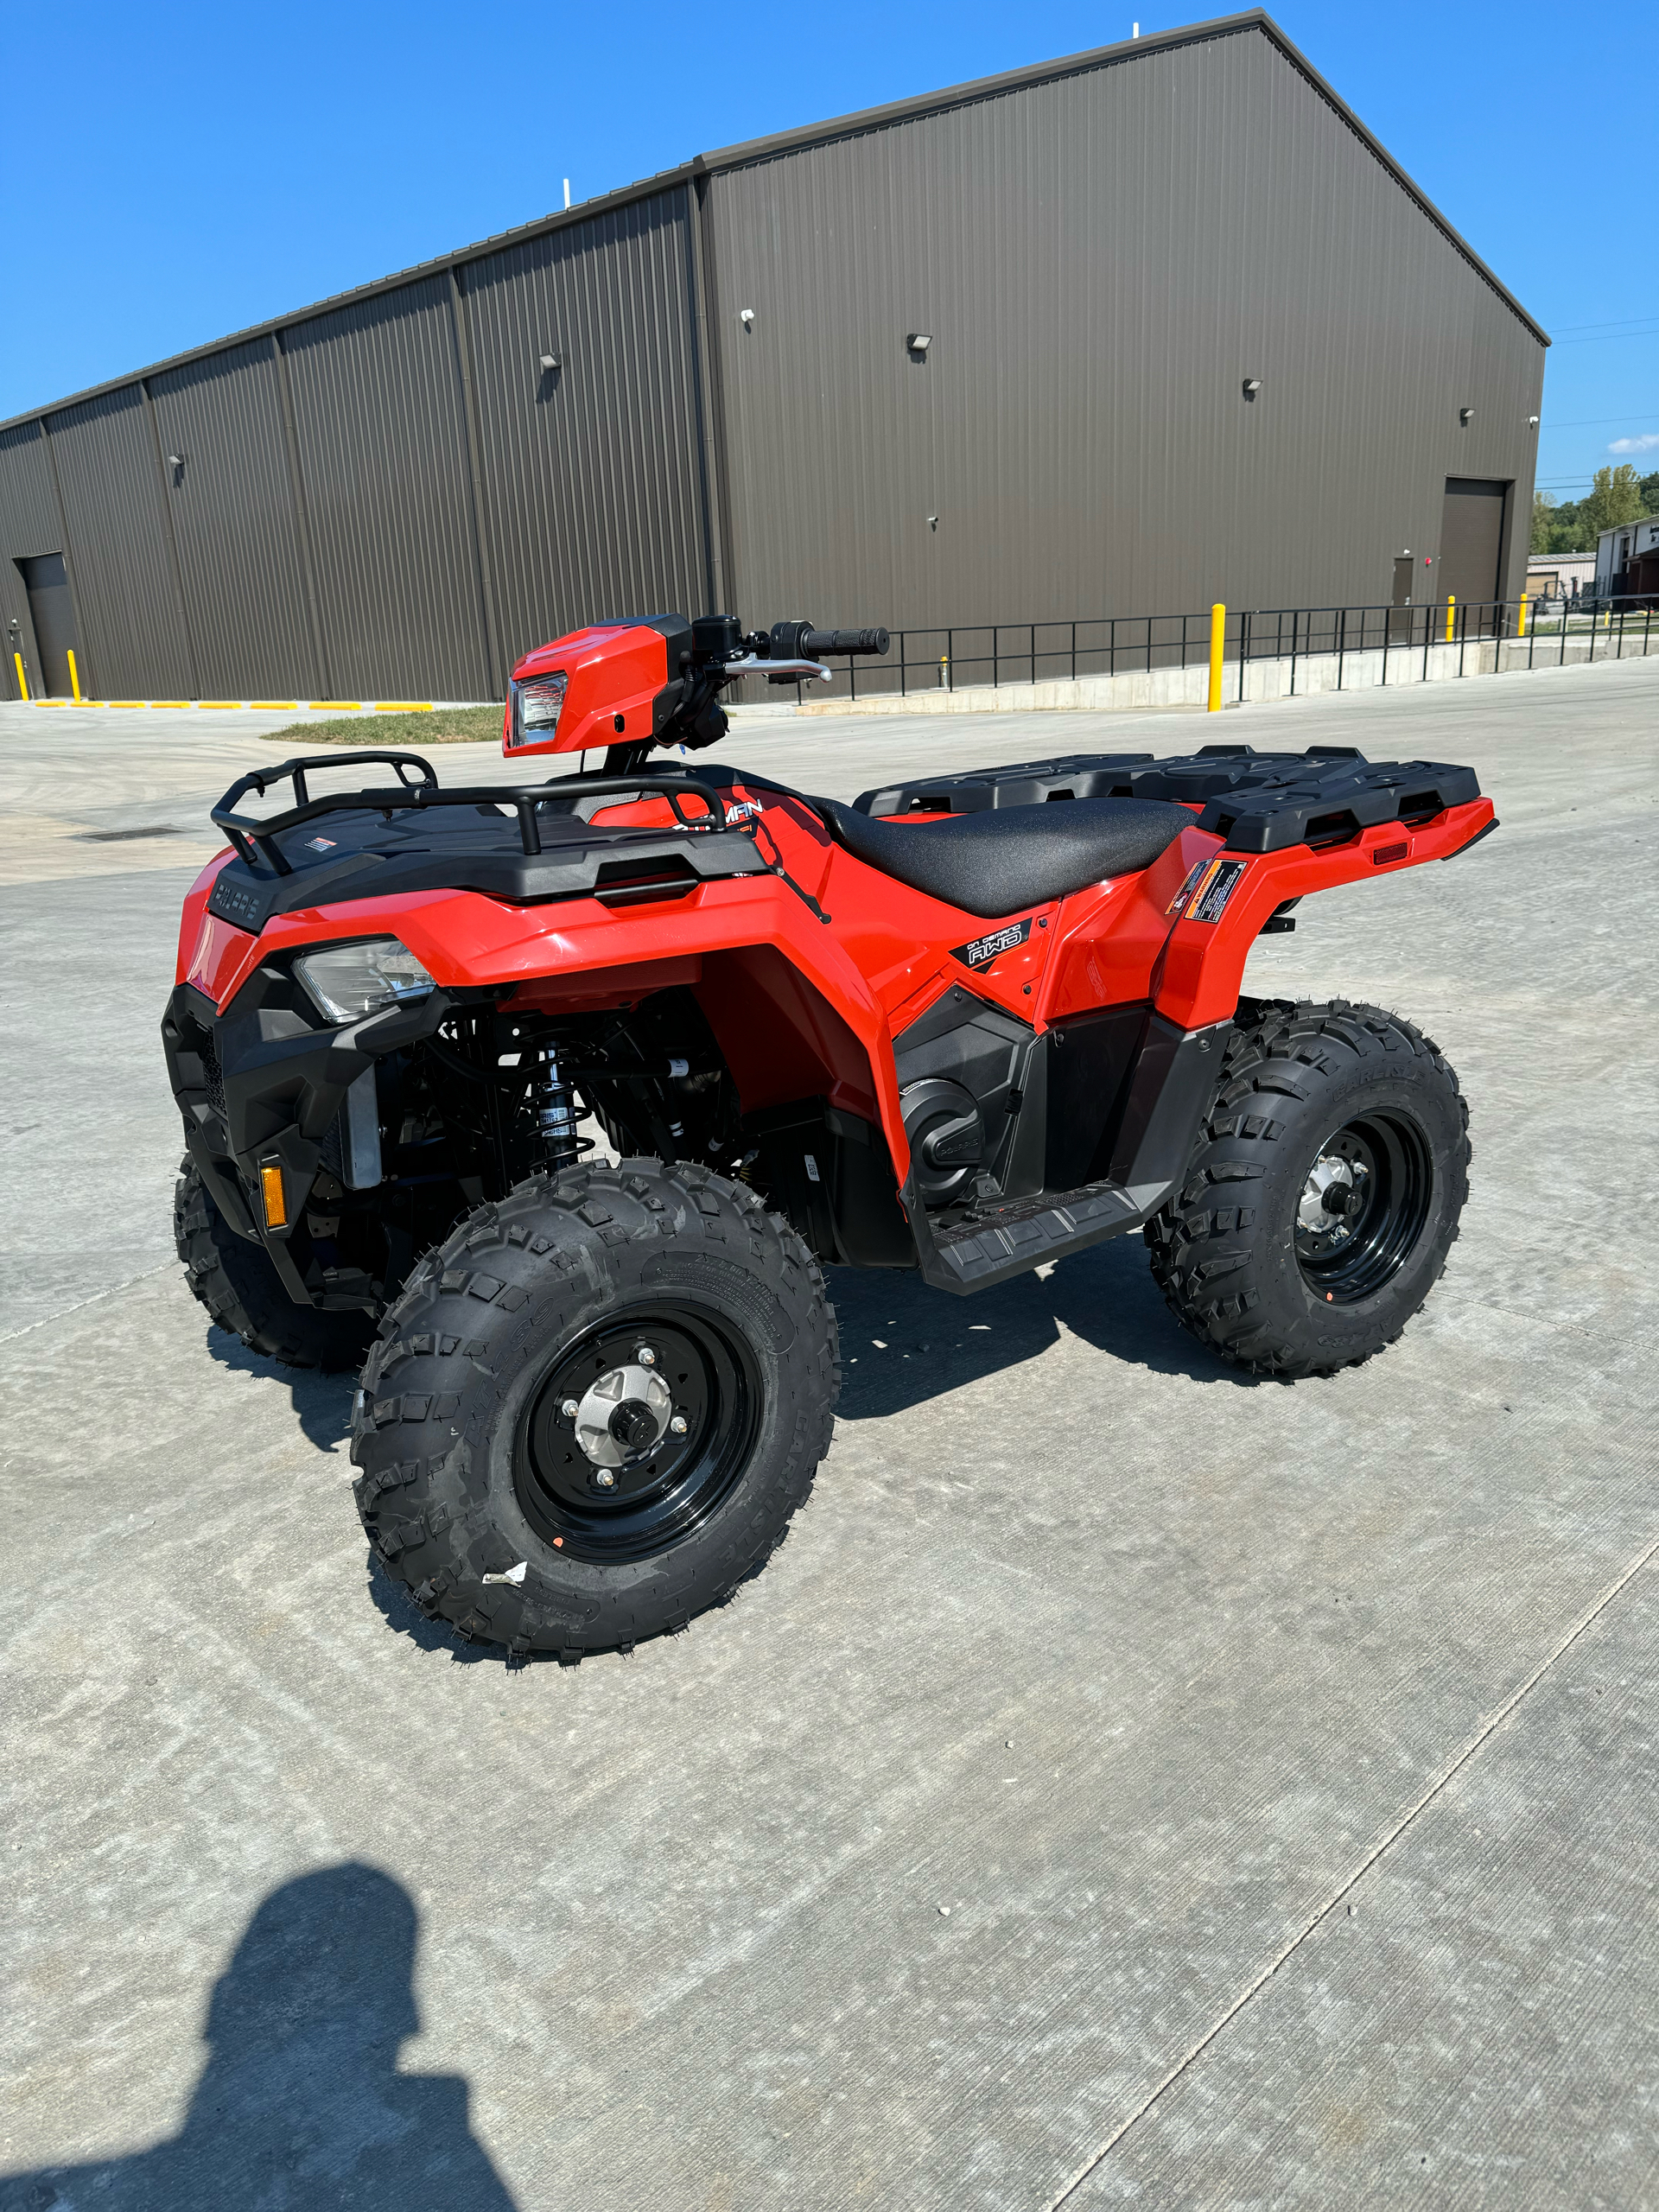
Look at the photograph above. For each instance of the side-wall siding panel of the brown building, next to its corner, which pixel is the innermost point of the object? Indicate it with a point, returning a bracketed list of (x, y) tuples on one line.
[(589, 472)]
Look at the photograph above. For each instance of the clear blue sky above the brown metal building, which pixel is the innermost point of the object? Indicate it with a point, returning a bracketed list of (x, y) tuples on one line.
[(180, 171)]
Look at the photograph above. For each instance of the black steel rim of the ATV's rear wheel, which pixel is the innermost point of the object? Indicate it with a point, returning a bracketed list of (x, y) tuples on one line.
[(1381, 1171)]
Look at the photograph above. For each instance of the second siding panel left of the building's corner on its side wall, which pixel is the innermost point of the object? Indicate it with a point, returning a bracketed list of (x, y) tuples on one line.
[(384, 461)]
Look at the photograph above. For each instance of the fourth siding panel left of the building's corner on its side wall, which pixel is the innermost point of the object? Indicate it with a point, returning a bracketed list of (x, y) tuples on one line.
[(134, 643)]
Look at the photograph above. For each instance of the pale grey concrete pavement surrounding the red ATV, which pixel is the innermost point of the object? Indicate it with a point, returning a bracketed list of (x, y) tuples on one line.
[(1127, 1786)]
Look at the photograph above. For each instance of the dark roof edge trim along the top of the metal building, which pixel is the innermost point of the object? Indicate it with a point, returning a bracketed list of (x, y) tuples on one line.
[(786, 143)]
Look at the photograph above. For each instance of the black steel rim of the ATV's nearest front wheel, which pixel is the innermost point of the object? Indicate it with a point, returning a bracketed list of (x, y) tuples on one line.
[(658, 1492)]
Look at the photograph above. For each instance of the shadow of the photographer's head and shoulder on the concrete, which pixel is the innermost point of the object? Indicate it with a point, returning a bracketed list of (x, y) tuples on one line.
[(302, 2107)]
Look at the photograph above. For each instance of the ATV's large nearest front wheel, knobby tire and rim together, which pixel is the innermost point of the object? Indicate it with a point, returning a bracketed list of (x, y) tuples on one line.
[(596, 1408)]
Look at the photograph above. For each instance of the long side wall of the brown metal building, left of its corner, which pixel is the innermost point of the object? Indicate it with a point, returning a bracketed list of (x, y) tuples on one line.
[(340, 528)]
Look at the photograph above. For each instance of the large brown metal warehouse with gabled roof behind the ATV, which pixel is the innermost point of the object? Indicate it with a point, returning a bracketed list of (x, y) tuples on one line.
[(395, 494)]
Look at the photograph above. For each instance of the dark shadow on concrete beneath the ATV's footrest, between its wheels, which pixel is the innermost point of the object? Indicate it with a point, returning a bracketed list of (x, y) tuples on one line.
[(904, 1344)]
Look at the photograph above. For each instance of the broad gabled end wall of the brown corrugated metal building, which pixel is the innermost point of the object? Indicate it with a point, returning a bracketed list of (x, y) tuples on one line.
[(1100, 264)]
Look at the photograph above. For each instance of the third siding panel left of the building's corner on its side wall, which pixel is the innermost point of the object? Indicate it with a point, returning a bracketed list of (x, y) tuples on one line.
[(233, 521)]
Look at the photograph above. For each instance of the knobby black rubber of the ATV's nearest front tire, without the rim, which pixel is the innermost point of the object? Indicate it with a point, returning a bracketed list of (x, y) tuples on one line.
[(426, 1421)]
